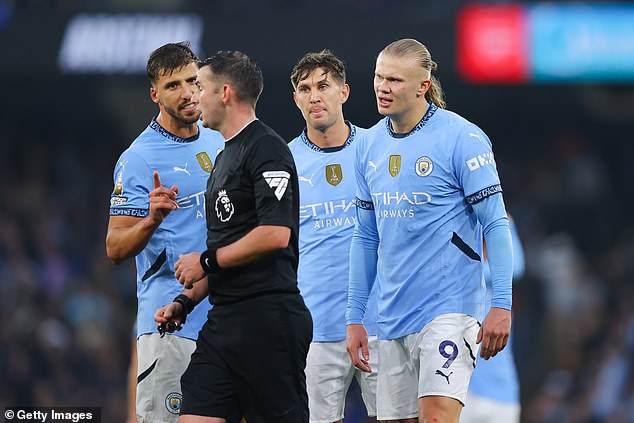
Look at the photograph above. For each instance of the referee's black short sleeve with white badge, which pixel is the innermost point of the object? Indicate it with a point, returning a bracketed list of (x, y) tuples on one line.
[(273, 171)]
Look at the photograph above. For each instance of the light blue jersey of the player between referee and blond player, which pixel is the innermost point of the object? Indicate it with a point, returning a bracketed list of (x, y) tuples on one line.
[(326, 217)]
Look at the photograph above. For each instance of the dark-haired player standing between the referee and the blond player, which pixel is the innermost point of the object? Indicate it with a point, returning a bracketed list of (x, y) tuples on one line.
[(324, 157)]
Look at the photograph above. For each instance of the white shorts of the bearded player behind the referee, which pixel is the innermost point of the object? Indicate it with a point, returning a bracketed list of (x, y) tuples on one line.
[(162, 361)]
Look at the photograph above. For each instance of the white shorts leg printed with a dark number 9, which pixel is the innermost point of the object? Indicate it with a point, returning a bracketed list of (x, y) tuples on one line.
[(447, 351)]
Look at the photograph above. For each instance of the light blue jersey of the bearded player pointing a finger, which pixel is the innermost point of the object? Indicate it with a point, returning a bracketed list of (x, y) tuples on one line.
[(186, 163)]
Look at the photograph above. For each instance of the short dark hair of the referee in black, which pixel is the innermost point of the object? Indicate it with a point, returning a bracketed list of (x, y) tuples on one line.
[(239, 70)]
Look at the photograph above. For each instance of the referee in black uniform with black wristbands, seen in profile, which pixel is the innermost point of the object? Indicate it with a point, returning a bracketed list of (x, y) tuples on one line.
[(251, 353)]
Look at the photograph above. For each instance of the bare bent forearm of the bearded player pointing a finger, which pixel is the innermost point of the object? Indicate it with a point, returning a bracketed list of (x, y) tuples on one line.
[(125, 242)]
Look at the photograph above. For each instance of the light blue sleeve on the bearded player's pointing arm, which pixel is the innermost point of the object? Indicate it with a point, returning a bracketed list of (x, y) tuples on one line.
[(132, 185)]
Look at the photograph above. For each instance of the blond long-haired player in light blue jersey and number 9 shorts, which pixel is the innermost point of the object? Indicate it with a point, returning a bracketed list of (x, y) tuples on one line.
[(427, 189)]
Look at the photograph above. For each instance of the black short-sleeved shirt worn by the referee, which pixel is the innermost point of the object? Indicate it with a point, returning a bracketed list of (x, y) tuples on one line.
[(253, 183)]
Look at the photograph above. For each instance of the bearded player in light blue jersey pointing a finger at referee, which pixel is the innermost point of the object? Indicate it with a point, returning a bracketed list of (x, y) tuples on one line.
[(157, 224)]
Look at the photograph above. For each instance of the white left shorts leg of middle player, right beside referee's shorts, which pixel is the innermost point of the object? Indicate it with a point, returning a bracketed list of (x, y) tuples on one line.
[(328, 376)]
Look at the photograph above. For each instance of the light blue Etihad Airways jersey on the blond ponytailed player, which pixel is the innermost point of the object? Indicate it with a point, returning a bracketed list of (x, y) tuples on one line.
[(420, 185)]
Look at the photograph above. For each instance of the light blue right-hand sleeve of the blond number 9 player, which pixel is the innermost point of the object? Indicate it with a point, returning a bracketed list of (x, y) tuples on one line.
[(474, 165)]
